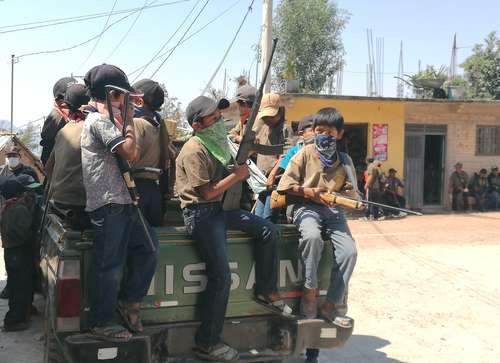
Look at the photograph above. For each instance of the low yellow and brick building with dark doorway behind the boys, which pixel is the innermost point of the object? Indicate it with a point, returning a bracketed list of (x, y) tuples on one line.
[(425, 138)]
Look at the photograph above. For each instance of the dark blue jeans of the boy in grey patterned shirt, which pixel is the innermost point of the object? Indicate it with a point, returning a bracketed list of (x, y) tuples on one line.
[(119, 240)]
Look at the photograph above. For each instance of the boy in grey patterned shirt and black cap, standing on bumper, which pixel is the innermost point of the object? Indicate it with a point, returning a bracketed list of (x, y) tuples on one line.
[(118, 234)]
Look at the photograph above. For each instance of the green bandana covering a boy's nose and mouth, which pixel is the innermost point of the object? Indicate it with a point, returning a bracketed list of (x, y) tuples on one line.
[(215, 140)]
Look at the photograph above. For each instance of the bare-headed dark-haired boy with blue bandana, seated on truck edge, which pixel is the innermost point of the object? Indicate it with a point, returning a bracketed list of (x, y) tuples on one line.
[(319, 168)]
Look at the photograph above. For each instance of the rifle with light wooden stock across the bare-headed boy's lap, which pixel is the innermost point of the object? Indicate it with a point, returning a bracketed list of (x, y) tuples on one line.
[(279, 200)]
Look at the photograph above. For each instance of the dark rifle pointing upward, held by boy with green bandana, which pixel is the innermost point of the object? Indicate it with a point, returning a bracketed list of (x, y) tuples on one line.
[(247, 144)]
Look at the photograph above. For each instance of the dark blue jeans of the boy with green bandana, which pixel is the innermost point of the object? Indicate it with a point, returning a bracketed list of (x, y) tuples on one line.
[(207, 223)]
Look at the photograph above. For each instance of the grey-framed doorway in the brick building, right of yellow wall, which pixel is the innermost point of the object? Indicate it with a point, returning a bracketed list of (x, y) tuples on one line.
[(424, 165)]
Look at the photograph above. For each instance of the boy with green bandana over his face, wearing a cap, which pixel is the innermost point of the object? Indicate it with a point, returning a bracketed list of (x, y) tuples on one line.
[(202, 180)]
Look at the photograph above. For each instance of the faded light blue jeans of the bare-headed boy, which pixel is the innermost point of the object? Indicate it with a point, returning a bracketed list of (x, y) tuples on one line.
[(317, 223)]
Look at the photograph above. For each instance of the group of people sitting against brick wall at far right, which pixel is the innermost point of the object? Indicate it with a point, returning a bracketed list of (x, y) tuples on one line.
[(484, 187)]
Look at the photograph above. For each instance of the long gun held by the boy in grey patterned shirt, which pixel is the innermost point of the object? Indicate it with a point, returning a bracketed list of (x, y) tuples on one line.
[(123, 164)]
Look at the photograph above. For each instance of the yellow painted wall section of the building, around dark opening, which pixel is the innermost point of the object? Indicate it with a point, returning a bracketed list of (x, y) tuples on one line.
[(359, 111)]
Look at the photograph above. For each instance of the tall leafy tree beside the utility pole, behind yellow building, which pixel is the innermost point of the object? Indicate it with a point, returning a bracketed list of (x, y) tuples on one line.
[(310, 47)]
